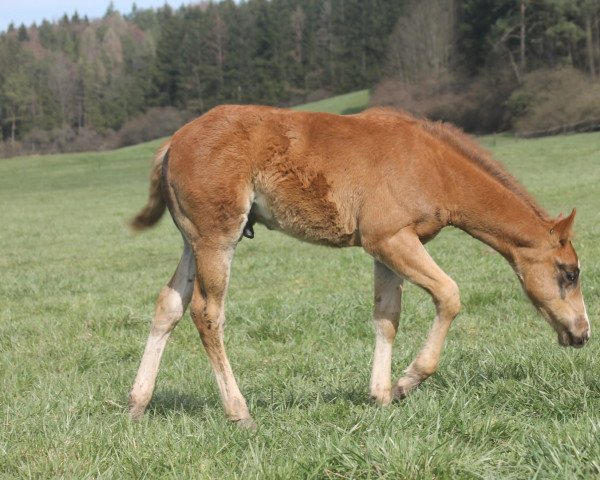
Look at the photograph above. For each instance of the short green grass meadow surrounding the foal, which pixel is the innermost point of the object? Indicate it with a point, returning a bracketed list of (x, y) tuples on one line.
[(77, 293)]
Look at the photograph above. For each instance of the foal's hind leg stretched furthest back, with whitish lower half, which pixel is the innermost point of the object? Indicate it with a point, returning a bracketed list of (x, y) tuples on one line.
[(172, 303)]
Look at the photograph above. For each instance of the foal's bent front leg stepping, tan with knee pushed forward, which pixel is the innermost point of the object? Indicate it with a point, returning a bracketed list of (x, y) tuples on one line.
[(406, 255)]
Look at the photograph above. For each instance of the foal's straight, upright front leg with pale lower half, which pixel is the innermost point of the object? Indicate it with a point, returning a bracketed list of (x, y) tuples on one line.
[(386, 314)]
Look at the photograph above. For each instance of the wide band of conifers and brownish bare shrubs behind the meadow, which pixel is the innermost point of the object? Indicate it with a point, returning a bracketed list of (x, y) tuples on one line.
[(80, 84)]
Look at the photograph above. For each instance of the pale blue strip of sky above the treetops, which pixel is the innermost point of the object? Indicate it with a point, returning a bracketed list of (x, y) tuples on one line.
[(29, 11)]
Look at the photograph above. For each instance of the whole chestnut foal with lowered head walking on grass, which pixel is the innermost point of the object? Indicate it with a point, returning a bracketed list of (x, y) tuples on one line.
[(381, 180)]
